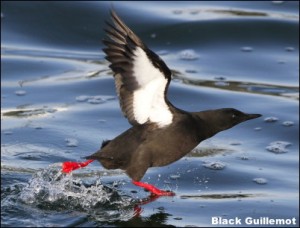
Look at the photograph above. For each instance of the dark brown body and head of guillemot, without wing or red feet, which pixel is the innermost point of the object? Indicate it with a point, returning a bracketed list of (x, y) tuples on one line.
[(144, 146)]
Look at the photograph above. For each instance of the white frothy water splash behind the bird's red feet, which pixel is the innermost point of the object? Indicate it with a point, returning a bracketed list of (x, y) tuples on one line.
[(51, 189)]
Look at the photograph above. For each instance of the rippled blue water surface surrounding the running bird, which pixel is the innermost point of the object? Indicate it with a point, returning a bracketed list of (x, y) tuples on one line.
[(58, 103)]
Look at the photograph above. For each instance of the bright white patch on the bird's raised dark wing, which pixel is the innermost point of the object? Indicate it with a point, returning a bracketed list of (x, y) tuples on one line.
[(149, 100)]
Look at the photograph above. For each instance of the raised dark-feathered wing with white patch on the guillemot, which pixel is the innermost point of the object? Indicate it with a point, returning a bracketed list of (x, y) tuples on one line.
[(141, 77)]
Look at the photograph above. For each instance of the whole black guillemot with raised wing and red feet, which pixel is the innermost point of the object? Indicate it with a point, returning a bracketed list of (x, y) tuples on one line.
[(161, 133)]
